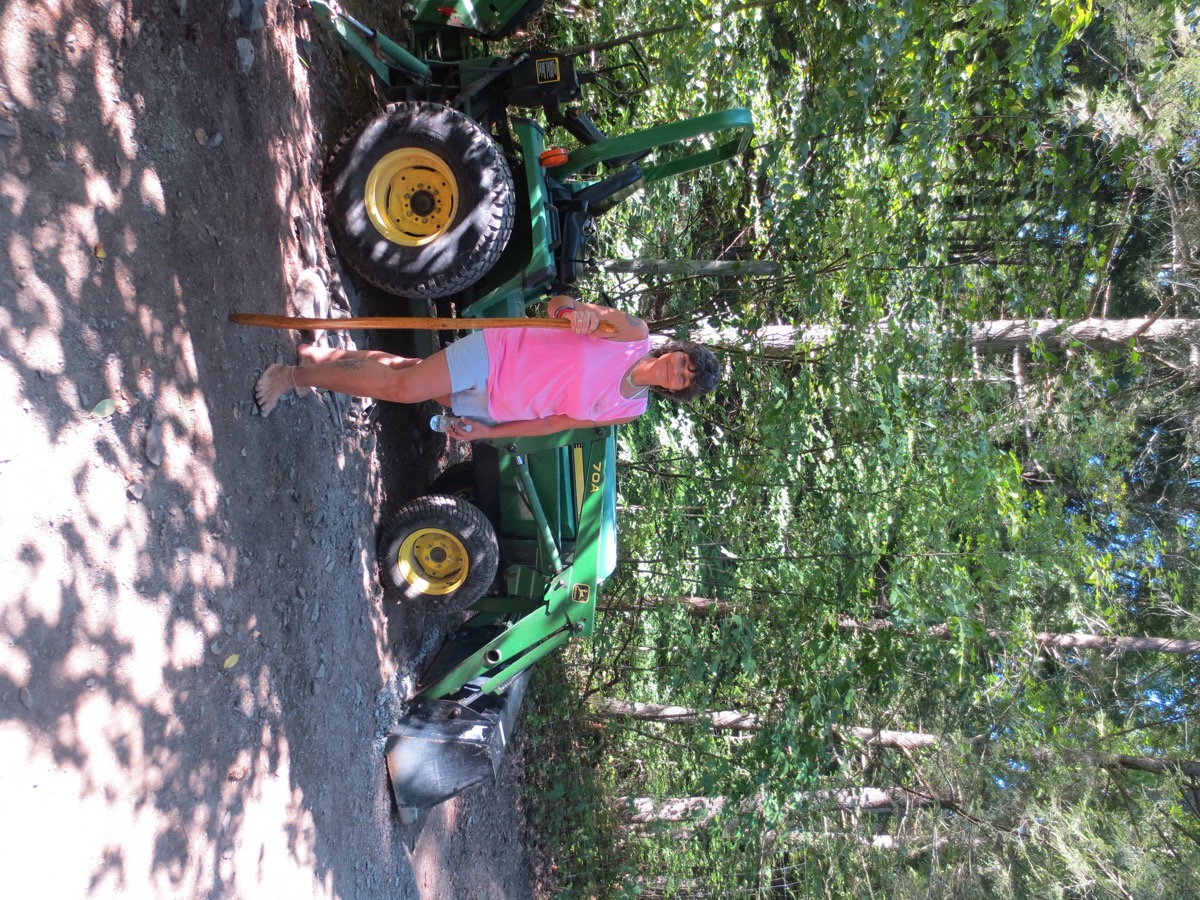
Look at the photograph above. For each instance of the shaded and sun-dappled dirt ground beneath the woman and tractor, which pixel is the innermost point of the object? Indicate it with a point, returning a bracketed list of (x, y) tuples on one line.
[(199, 670)]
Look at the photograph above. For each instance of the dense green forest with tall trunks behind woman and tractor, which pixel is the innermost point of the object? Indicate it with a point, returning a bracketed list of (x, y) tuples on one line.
[(909, 608)]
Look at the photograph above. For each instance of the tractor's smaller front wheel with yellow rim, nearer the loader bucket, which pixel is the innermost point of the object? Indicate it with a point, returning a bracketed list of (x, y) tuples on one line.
[(439, 551)]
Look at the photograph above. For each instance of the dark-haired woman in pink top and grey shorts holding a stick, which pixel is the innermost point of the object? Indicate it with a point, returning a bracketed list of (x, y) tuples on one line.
[(517, 382)]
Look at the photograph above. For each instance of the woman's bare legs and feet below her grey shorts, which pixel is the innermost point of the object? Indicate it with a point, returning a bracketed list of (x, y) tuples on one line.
[(359, 374)]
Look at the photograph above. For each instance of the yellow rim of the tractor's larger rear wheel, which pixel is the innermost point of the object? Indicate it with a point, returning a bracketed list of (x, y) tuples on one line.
[(411, 197)]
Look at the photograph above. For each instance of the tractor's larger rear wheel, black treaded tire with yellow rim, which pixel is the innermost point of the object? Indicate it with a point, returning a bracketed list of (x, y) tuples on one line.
[(419, 201)]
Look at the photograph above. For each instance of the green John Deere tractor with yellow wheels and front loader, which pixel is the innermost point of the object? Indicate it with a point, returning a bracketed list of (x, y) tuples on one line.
[(449, 196)]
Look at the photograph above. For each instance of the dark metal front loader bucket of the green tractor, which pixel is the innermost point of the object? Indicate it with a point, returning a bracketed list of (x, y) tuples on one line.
[(440, 748)]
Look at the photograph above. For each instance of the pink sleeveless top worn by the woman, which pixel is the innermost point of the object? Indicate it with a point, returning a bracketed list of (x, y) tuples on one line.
[(536, 373)]
